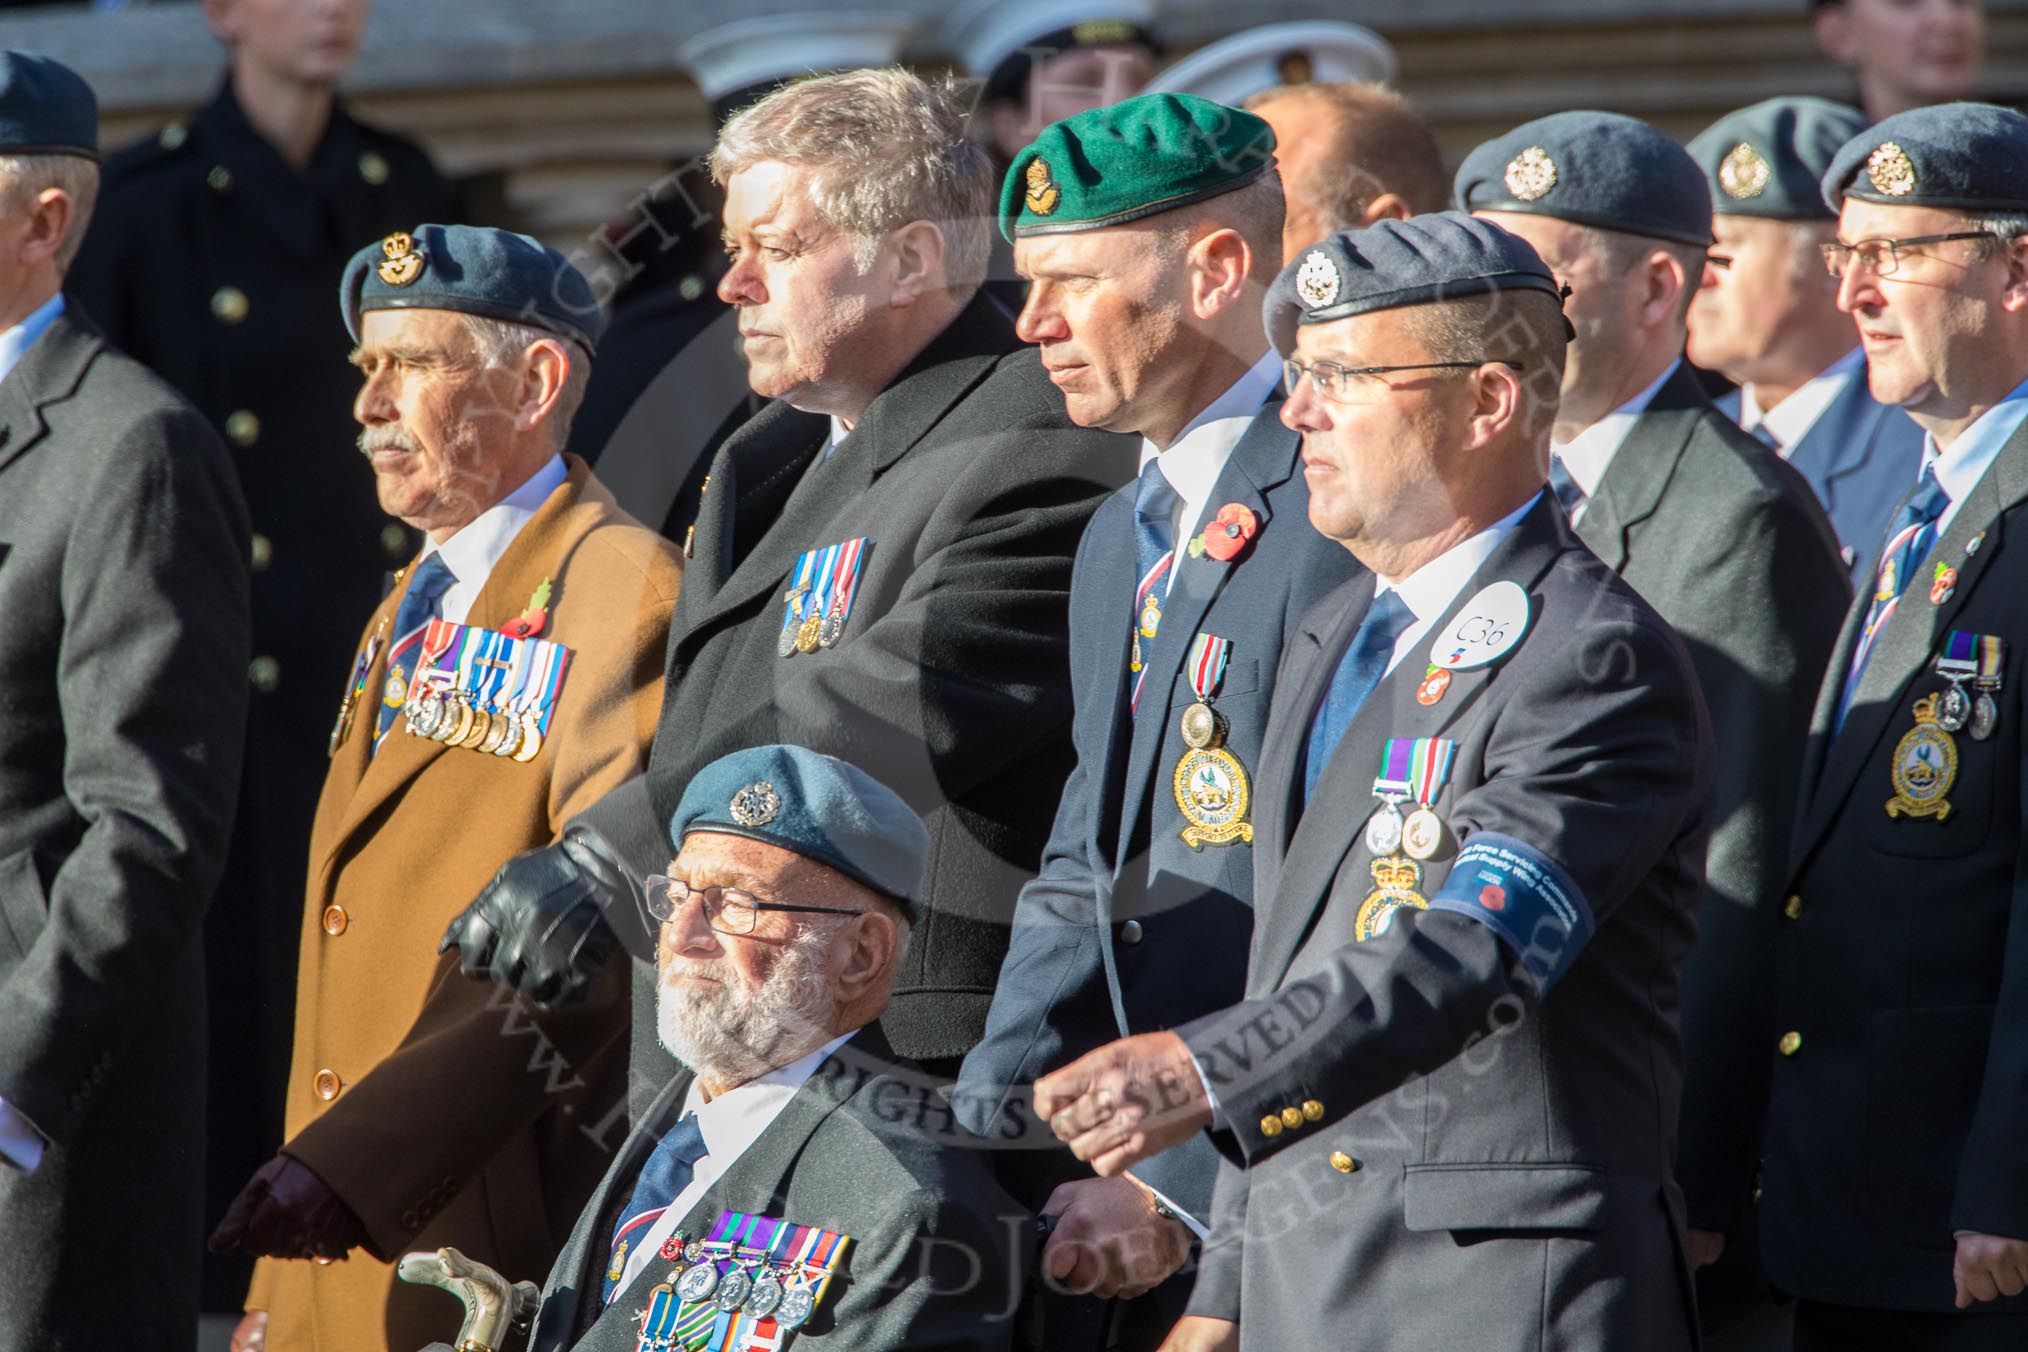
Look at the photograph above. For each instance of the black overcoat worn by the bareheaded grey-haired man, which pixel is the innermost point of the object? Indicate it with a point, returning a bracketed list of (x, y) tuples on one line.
[(952, 680)]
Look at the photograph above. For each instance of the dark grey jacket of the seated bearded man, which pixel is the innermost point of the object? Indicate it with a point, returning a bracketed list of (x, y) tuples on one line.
[(865, 1148)]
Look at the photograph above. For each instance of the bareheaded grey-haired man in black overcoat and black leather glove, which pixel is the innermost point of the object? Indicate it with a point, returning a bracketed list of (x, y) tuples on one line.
[(881, 562)]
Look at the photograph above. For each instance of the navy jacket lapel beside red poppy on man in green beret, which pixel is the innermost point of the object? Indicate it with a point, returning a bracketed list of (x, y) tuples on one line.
[(1260, 463)]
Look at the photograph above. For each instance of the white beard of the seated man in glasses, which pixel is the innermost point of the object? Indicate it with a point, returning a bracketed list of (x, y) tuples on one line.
[(733, 1033)]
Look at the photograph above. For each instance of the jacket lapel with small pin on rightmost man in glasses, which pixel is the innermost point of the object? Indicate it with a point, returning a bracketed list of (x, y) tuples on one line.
[(1911, 635)]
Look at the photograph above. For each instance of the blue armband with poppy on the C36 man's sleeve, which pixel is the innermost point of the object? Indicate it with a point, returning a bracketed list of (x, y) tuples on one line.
[(1524, 897)]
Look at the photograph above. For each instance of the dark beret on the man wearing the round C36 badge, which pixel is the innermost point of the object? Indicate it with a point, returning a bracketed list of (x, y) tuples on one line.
[(1423, 260)]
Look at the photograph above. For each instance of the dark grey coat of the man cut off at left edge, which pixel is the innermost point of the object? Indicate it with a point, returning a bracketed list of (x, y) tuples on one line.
[(123, 700)]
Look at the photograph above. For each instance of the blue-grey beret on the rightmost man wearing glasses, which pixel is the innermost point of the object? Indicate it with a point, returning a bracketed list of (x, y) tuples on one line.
[(1970, 157)]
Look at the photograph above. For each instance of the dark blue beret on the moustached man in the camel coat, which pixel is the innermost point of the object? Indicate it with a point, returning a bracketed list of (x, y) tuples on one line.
[(478, 271)]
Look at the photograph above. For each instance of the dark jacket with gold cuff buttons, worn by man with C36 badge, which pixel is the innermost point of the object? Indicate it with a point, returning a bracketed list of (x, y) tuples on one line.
[(1473, 1152)]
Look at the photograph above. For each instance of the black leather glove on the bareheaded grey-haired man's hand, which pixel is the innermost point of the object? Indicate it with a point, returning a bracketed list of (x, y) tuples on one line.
[(540, 927)]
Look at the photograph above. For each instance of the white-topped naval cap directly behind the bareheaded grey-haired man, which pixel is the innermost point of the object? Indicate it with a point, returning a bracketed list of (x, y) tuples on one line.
[(759, 52)]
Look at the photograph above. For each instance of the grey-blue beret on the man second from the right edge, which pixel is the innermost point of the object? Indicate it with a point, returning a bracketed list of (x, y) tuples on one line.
[(1767, 161)]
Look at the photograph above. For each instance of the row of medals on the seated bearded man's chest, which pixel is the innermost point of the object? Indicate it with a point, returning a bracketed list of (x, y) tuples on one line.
[(751, 1284)]
